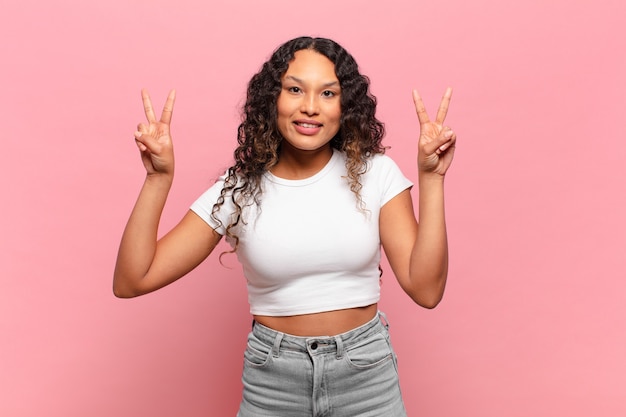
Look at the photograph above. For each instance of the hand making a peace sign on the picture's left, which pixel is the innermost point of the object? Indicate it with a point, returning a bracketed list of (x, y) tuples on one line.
[(154, 139)]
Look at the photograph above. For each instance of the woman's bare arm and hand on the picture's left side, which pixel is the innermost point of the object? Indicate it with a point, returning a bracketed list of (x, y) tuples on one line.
[(143, 263)]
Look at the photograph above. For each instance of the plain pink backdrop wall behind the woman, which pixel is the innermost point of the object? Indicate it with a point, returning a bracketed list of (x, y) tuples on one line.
[(533, 320)]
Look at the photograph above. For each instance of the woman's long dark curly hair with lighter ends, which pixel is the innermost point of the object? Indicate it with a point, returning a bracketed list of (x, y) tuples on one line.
[(359, 136)]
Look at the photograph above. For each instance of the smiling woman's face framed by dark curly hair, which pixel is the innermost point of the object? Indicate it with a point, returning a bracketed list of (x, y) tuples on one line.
[(309, 104)]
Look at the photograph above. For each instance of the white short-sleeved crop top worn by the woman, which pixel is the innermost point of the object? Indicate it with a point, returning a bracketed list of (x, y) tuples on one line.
[(308, 248)]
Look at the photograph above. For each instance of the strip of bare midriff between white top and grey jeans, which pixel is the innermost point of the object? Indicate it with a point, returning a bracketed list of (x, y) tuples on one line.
[(328, 323)]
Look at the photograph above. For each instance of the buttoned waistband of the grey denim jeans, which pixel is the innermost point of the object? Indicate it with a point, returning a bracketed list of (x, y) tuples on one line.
[(319, 344)]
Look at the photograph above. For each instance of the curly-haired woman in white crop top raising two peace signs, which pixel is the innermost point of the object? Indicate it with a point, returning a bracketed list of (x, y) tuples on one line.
[(306, 207)]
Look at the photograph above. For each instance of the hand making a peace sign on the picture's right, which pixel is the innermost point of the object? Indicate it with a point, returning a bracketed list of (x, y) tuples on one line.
[(436, 142)]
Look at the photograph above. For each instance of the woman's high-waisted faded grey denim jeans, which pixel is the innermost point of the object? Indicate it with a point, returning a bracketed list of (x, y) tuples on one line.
[(348, 375)]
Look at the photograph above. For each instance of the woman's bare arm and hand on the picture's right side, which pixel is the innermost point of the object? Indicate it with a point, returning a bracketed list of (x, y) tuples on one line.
[(418, 251)]
